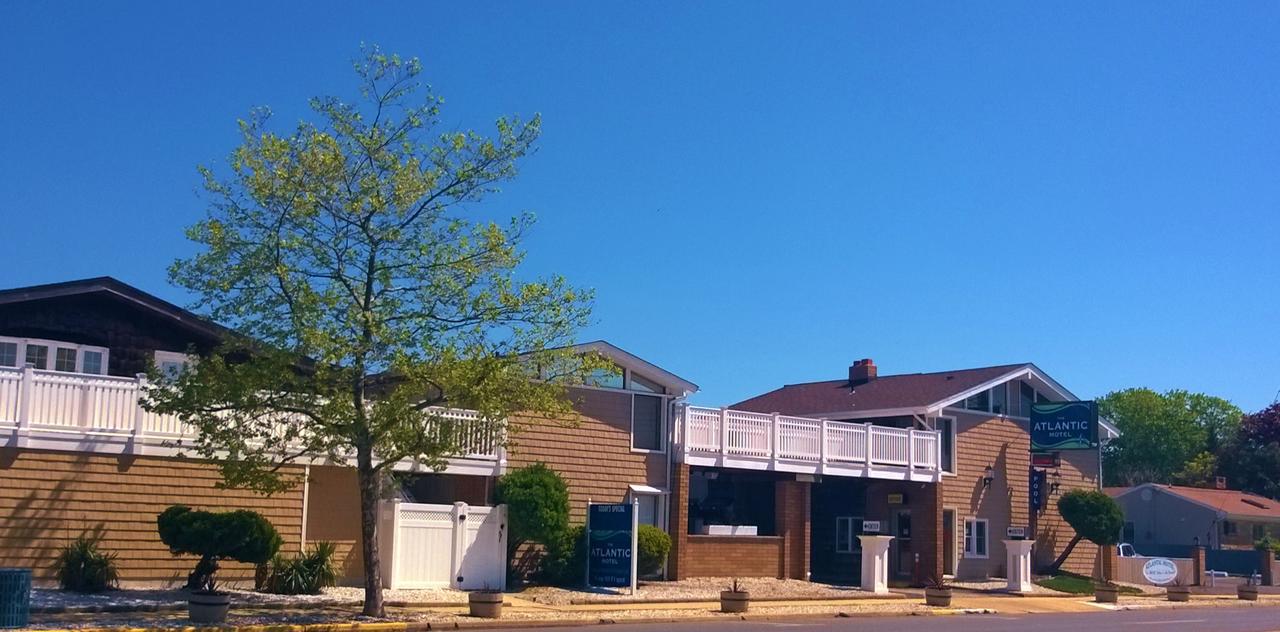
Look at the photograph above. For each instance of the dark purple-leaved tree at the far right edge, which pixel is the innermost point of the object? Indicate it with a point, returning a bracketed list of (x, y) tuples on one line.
[(1251, 462)]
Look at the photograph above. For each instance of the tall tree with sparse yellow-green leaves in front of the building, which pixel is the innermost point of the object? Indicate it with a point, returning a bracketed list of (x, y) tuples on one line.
[(351, 253)]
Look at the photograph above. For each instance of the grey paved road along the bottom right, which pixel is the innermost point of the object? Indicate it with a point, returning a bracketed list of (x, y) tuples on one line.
[(1214, 620)]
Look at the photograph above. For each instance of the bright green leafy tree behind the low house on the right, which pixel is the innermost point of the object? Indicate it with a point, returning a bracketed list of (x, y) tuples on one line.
[(1162, 433)]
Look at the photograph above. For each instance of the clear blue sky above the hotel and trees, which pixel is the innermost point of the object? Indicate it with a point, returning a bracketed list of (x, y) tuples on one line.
[(760, 194)]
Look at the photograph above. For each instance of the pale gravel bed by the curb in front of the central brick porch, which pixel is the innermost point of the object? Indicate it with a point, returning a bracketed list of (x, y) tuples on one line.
[(707, 589)]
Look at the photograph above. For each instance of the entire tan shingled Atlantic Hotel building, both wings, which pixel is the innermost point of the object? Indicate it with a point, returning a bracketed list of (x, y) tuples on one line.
[(779, 486)]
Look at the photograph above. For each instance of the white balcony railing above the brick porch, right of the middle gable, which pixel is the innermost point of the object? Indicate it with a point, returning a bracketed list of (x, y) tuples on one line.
[(779, 442)]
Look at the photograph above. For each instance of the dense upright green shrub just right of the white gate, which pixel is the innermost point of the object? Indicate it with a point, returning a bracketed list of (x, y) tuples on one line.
[(537, 501)]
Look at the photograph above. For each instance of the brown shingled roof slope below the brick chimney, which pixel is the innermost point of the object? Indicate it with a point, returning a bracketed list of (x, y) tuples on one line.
[(908, 391)]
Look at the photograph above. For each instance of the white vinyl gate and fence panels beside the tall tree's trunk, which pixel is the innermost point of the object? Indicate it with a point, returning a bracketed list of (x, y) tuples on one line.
[(435, 547)]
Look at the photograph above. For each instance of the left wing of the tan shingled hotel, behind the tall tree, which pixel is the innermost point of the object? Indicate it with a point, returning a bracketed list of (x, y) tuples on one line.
[(80, 456)]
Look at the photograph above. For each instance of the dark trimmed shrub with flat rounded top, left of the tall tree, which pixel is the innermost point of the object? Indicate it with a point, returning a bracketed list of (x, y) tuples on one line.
[(241, 535)]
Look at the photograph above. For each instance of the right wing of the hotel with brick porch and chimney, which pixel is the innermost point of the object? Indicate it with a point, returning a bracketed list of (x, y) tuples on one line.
[(941, 461)]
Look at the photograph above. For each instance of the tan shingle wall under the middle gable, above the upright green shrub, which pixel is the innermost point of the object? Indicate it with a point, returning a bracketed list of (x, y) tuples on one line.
[(595, 456)]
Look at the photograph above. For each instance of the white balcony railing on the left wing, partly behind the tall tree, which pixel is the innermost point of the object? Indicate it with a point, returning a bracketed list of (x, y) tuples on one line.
[(85, 413)]
